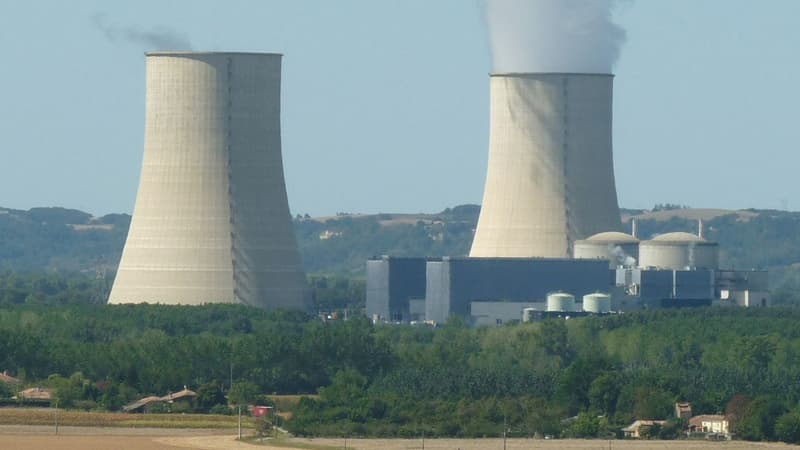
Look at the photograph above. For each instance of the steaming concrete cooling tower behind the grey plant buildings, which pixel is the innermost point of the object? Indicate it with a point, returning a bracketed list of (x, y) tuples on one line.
[(550, 178)]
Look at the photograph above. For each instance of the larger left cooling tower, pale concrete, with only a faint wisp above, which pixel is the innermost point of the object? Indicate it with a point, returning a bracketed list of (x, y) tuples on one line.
[(211, 222)]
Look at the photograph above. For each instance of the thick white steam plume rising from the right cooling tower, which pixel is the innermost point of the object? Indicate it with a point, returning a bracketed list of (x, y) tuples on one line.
[(576, 36)]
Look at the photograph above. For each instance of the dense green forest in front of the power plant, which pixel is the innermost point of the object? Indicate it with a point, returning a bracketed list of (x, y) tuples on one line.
[(583, 378)]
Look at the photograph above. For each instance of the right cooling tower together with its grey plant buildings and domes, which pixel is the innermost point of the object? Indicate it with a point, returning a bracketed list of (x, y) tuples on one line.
[(549, 229)]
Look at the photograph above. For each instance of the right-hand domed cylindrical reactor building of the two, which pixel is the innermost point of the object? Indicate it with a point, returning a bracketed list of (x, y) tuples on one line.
[(678, 251)]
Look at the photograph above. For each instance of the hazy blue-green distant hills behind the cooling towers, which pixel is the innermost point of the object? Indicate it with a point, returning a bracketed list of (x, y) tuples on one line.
[(58, 239)]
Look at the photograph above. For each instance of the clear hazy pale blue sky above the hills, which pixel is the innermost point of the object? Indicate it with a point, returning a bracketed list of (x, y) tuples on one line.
[(385, 102)]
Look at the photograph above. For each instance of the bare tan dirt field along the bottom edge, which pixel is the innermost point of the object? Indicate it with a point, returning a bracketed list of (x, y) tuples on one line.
[(87, 438)]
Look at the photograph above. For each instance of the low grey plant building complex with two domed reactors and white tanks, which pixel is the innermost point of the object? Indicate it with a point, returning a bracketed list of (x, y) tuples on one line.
[(681, 271)]
